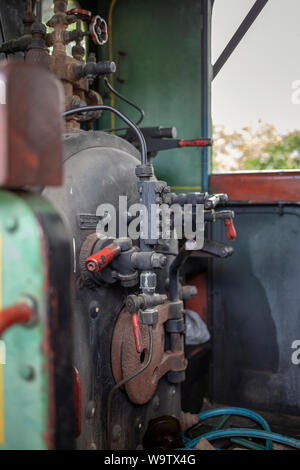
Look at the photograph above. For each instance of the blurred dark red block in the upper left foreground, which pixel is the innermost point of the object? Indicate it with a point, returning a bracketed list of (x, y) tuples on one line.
[(30, 155)]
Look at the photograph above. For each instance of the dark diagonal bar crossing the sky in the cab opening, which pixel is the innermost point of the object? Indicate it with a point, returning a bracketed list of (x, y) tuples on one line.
[(238, 35)]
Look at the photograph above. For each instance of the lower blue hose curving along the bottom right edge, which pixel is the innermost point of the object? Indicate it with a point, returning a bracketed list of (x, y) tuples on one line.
[(244, 432)]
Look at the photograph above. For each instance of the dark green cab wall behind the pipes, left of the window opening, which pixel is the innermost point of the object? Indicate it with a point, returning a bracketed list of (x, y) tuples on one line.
[(162, 73)]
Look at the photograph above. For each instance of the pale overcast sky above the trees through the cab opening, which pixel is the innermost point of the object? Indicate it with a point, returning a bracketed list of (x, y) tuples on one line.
[(256, 82)]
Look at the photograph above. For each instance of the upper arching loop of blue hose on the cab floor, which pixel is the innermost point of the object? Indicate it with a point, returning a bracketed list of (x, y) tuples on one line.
[(237, 412)]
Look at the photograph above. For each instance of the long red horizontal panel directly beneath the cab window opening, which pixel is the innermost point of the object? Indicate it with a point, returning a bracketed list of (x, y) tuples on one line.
[(258, 187)]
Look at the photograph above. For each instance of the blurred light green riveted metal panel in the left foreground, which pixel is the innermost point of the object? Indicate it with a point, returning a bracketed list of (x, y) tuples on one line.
[(24, 377)]
